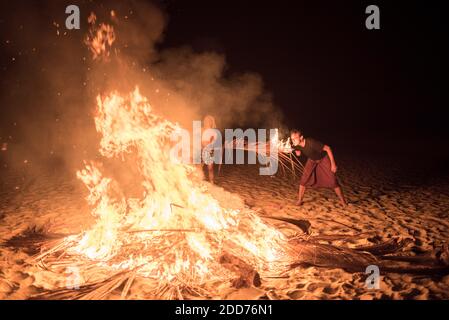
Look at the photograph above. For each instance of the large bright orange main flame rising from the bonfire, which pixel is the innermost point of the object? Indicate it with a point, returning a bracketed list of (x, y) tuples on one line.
[(176, 229)]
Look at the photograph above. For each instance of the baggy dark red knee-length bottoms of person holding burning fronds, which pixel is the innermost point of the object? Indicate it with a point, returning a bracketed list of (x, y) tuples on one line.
[(318, 174)]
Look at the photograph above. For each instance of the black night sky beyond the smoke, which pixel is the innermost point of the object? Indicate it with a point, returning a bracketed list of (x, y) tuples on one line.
[(331, 77)]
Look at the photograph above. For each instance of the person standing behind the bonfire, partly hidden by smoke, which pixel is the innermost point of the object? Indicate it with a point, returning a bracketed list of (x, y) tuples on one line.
[(207, 142)]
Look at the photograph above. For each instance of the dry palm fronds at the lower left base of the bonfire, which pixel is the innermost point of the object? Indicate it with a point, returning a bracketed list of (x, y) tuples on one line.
[(97, 279)]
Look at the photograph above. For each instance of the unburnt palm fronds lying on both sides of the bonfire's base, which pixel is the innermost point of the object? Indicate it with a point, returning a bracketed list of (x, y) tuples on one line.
[(389, 256)]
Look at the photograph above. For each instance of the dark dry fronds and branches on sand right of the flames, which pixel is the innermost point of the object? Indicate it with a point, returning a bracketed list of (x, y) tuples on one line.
[(313, 253)]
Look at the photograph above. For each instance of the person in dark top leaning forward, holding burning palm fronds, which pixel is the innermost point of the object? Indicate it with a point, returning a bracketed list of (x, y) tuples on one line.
[(320, 169)]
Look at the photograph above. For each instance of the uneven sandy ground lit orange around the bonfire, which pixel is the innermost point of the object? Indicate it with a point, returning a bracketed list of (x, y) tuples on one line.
[(382, 202)]
